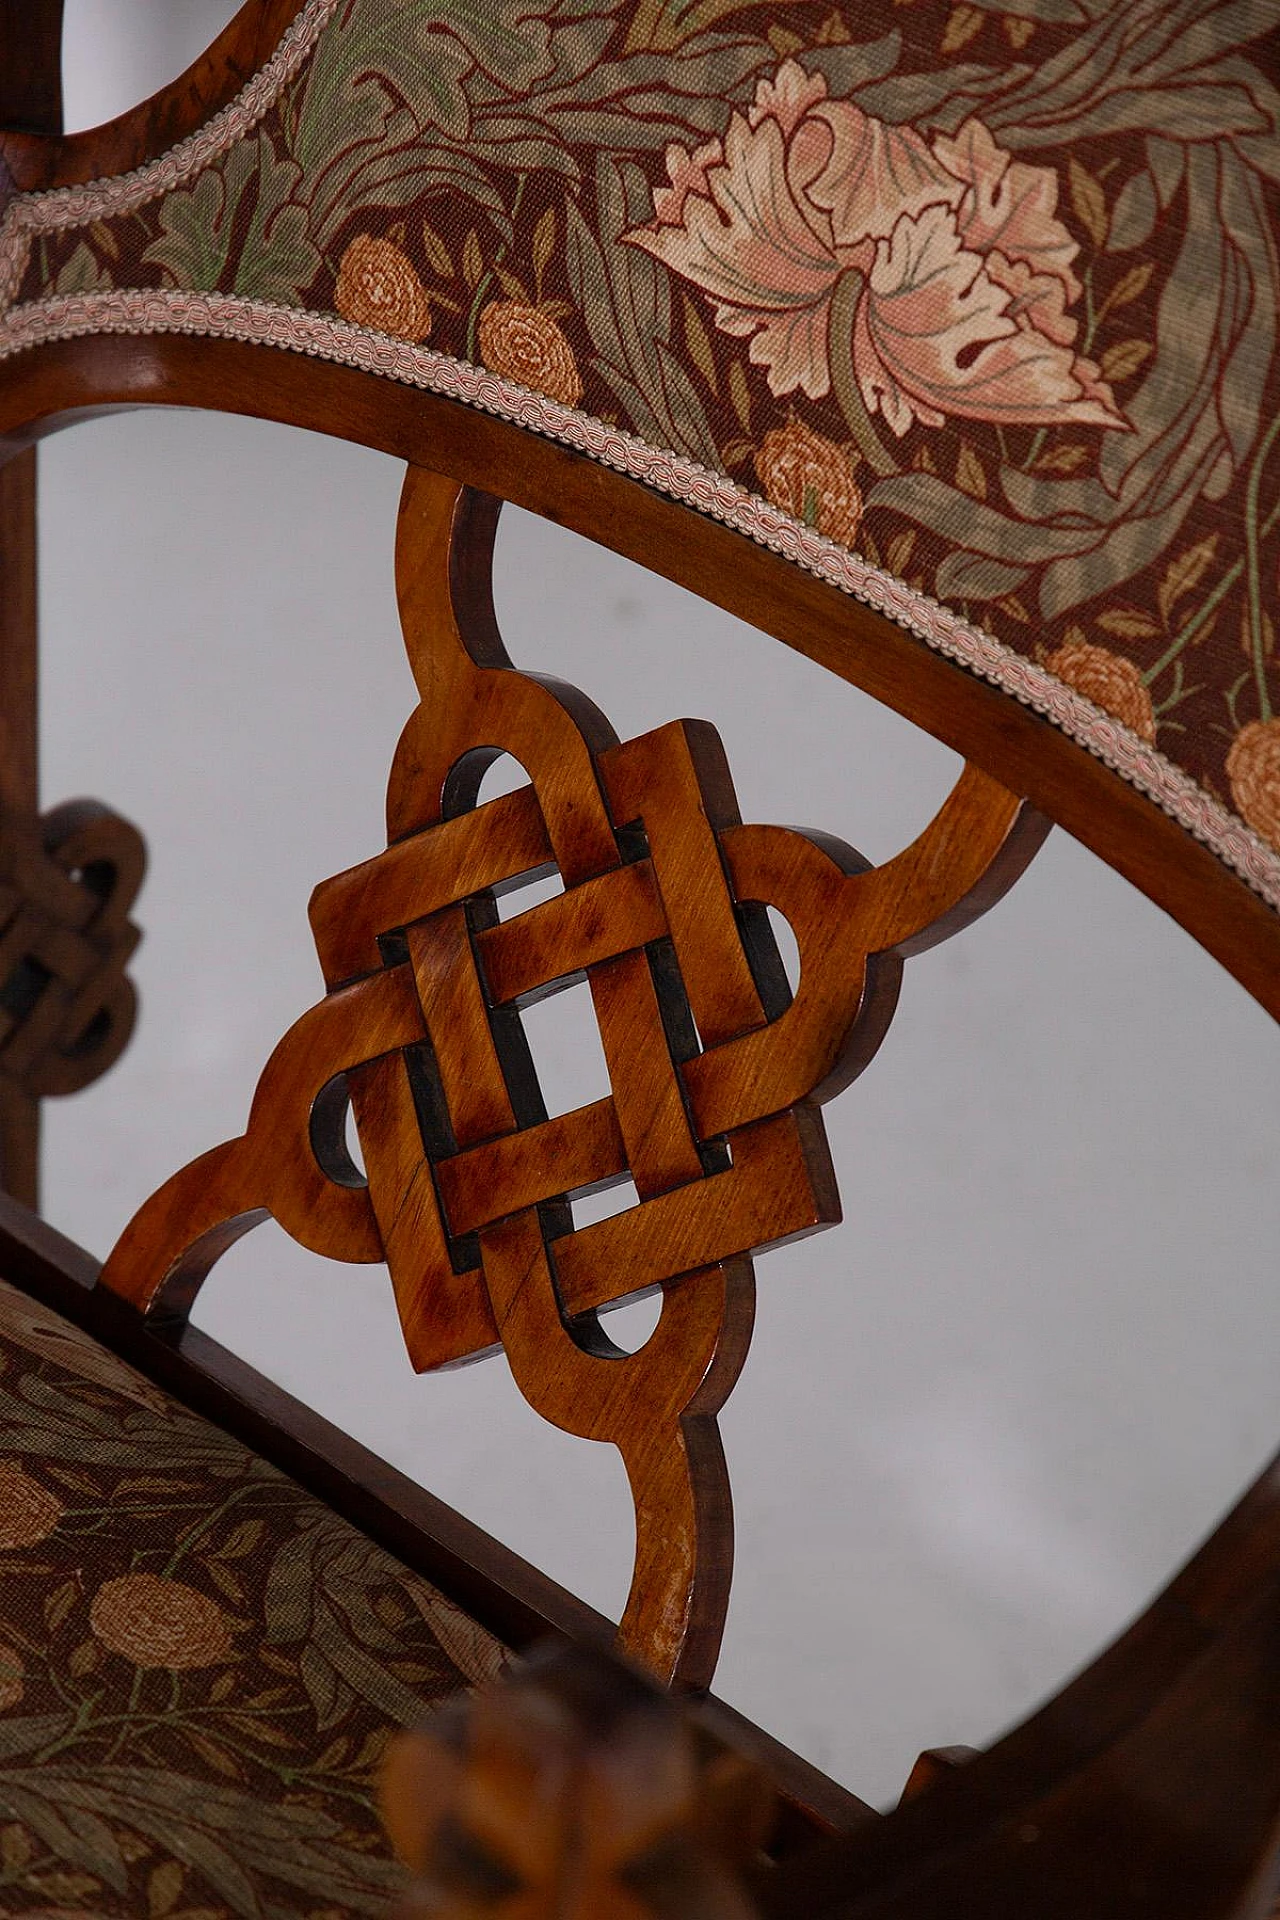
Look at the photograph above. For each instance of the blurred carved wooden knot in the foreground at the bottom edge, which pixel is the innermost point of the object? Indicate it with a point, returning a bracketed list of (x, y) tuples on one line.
[(575, 1790)]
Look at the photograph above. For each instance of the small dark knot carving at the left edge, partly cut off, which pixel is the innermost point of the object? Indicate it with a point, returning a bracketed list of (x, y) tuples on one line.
[(66, 888)]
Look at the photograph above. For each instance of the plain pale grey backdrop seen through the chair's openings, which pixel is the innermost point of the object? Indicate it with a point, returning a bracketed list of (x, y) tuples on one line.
[(985, 1416)]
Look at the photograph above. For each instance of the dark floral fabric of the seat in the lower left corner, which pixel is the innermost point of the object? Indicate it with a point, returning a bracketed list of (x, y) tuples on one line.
[(201, 1666)]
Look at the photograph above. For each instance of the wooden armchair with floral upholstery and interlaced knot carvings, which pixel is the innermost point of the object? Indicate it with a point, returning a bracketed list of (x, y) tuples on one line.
[(943, 350)]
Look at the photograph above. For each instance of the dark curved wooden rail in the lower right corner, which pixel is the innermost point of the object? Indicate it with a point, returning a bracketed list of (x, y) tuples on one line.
[(1149, 1787)]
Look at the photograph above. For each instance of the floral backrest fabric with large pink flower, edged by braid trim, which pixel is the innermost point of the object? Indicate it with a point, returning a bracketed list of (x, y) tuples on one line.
[(970, 308)]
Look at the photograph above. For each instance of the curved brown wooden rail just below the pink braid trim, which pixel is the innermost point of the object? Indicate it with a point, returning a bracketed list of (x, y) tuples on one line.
[(1018, 748)]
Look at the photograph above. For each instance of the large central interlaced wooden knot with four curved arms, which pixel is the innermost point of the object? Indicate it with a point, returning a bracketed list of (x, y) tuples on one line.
[(717, 1070)]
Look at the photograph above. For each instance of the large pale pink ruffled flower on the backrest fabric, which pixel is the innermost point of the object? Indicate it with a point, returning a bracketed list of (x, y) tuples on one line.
[(953, 252)]
